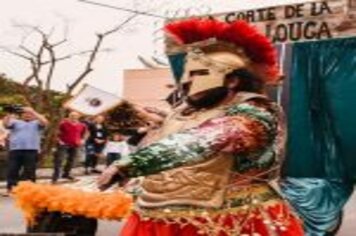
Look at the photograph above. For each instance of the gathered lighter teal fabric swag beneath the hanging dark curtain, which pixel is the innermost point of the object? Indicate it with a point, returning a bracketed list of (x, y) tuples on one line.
[(318, 202)]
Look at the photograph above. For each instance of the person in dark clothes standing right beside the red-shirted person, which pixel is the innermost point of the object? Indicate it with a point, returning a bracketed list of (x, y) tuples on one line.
[(98, 135)]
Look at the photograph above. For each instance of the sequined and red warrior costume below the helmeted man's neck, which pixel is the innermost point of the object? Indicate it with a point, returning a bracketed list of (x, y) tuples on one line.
[(216, 167)]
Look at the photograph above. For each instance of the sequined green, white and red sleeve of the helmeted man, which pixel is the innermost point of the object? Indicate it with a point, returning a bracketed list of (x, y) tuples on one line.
[(245, 127)]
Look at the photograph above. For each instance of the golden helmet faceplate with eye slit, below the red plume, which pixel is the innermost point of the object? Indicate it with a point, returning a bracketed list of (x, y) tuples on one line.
[(208, 71)]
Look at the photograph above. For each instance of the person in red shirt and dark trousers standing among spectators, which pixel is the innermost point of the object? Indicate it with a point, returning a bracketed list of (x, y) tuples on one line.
[(71, 136)]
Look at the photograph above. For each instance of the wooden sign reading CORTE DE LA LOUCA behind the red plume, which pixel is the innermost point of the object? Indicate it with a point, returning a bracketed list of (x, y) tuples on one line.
[(300, 22)]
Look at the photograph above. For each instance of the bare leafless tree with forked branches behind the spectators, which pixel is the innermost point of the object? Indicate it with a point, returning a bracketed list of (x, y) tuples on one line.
[(36, 87)]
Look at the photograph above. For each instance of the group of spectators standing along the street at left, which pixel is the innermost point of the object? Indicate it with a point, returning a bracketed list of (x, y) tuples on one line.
[(80, 139)]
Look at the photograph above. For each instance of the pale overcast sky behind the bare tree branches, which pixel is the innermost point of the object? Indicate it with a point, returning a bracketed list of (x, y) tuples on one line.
[(80, 22)]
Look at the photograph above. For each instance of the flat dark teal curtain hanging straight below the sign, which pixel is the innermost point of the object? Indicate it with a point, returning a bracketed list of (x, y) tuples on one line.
[(322, 114)]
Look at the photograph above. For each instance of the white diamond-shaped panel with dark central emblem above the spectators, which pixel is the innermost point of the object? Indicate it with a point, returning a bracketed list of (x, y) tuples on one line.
[(92, 101)]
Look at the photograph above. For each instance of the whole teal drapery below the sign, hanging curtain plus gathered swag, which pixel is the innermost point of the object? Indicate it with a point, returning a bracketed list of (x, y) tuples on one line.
[(321, 149)]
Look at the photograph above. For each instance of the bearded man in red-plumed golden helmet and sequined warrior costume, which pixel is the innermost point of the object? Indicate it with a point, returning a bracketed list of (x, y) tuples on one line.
[(208, 169)]
